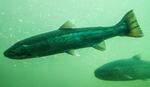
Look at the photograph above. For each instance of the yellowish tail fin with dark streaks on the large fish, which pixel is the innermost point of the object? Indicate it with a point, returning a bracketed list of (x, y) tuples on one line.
[(133, 27)]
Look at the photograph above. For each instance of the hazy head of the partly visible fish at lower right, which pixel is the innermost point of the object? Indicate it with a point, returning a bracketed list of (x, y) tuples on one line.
[(111, 73)]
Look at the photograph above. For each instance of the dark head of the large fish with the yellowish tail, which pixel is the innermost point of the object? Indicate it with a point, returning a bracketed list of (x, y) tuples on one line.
[(17, 51)]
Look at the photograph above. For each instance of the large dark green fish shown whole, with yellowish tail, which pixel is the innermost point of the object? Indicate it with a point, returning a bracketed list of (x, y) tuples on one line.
[(68, 38)]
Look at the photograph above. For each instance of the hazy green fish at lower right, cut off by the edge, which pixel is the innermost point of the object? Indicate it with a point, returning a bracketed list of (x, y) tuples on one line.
[(124, 70)]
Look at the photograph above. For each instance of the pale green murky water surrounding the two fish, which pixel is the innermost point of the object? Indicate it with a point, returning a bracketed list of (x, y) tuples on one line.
[(20, 19)]
